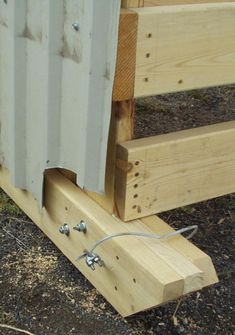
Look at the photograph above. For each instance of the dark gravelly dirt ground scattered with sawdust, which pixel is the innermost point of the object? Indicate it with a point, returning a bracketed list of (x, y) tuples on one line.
[(42, 292)]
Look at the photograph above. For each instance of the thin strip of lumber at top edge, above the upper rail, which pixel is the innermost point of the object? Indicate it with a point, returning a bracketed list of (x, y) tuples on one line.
[(151, 3)]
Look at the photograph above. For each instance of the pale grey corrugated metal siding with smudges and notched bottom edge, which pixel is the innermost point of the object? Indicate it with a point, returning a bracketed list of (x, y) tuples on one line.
[(56, 88)]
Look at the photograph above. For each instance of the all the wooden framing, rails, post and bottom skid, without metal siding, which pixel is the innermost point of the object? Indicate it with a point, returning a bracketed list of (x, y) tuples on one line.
[(161, 49)]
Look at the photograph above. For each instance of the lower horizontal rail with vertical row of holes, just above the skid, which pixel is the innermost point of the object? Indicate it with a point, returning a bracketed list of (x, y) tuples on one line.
[(163, 172)]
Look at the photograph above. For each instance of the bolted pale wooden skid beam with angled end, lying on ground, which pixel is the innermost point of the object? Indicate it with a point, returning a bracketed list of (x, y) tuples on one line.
[(138, 273)]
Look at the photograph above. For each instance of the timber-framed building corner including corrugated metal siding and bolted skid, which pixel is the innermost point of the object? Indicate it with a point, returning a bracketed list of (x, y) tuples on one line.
[(163, 46)]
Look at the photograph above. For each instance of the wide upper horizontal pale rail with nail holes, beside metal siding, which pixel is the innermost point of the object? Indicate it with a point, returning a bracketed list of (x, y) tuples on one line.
[(183, 47)]
